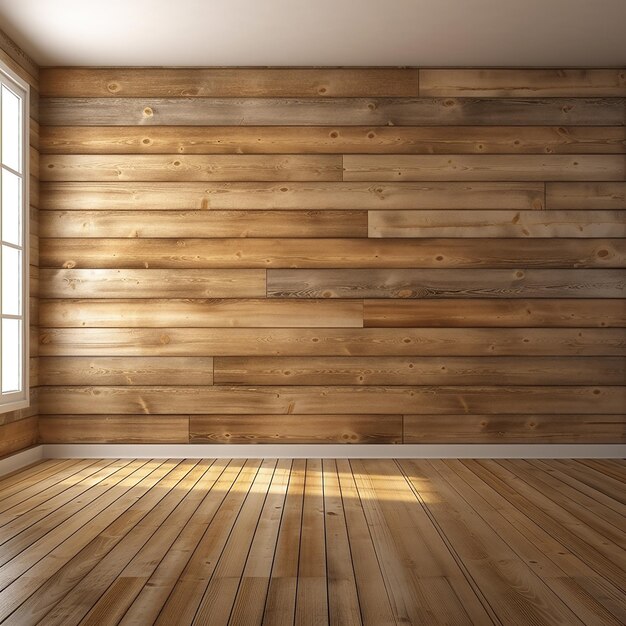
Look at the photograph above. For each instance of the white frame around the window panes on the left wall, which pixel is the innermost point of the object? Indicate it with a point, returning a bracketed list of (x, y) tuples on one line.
[(21, 399)]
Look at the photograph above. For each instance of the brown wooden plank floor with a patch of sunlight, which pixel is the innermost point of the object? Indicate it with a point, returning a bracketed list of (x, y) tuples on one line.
[(313, 542)]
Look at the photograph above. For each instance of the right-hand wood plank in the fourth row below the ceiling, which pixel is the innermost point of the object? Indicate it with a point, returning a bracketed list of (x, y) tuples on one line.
[(514, 167)]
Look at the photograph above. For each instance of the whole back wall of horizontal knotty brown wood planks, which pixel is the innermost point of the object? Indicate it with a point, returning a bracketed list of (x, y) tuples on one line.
[(326, 255)]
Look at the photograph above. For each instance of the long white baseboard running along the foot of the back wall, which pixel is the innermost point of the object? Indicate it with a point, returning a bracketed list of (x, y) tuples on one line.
[(459, 451)]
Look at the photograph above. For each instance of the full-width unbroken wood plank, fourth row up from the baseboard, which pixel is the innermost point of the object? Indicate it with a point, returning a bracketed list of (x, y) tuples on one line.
[(332, 342)]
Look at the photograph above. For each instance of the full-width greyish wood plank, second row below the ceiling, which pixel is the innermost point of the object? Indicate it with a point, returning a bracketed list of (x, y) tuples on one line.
[(325, 111)]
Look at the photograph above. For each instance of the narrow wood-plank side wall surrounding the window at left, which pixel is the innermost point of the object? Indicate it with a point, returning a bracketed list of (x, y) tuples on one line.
[(18, 429)]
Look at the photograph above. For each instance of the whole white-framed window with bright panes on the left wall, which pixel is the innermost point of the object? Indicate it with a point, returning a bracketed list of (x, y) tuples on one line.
[(13, 238)]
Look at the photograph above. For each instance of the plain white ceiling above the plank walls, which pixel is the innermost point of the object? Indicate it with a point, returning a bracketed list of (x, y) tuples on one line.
[(319, 32)]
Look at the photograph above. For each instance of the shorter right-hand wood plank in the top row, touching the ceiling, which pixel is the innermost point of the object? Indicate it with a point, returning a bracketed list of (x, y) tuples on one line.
[(515, 83)]
